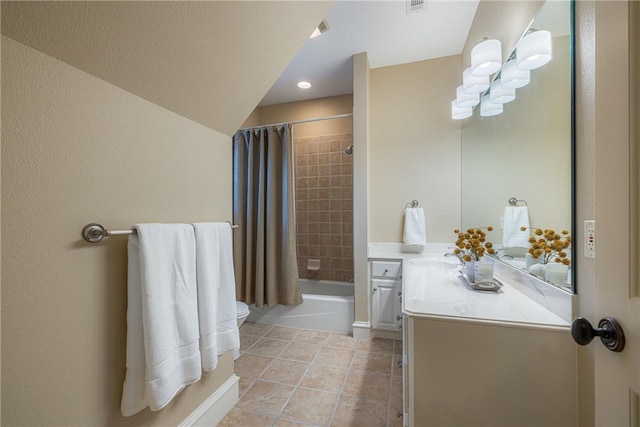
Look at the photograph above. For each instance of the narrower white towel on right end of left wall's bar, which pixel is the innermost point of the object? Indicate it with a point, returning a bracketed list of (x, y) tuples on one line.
[(216, 292)]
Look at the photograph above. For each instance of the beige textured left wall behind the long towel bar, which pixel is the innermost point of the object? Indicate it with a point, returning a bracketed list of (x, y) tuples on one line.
[(75, 150)]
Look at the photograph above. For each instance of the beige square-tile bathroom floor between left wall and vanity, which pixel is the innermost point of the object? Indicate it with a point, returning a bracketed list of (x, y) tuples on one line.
[(301, 377)]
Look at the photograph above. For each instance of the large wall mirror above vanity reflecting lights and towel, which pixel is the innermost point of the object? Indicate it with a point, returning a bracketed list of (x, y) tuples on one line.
[(526, 153)]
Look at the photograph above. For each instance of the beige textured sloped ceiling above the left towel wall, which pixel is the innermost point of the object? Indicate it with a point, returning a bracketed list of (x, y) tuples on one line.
[(209, 61)]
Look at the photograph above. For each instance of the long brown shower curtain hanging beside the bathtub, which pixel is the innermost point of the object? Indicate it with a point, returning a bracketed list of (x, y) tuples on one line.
[(263, 207)]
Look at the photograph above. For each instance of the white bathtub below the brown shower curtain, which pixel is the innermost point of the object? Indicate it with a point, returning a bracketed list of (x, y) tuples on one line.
[(327, 306)]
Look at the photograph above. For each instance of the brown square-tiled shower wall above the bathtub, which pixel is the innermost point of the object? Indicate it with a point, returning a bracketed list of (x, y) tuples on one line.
[(324, 205)]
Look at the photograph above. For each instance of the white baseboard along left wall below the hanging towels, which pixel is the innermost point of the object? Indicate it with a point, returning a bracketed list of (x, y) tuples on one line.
[(214, 409)]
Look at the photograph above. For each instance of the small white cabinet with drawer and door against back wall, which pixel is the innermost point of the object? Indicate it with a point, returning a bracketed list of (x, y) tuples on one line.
[(386, 298)]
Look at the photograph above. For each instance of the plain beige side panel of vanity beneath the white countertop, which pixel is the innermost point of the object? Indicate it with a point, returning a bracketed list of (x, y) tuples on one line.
[(467, 373)]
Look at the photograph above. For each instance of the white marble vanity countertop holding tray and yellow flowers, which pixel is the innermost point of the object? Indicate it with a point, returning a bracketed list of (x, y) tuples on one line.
[(432, 287)]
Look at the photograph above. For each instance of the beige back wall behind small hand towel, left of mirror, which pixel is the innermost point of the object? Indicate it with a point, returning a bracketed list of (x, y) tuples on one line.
[(415, 148)]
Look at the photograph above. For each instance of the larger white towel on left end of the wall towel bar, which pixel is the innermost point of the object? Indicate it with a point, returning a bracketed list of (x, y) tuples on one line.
[(162, 316)]
